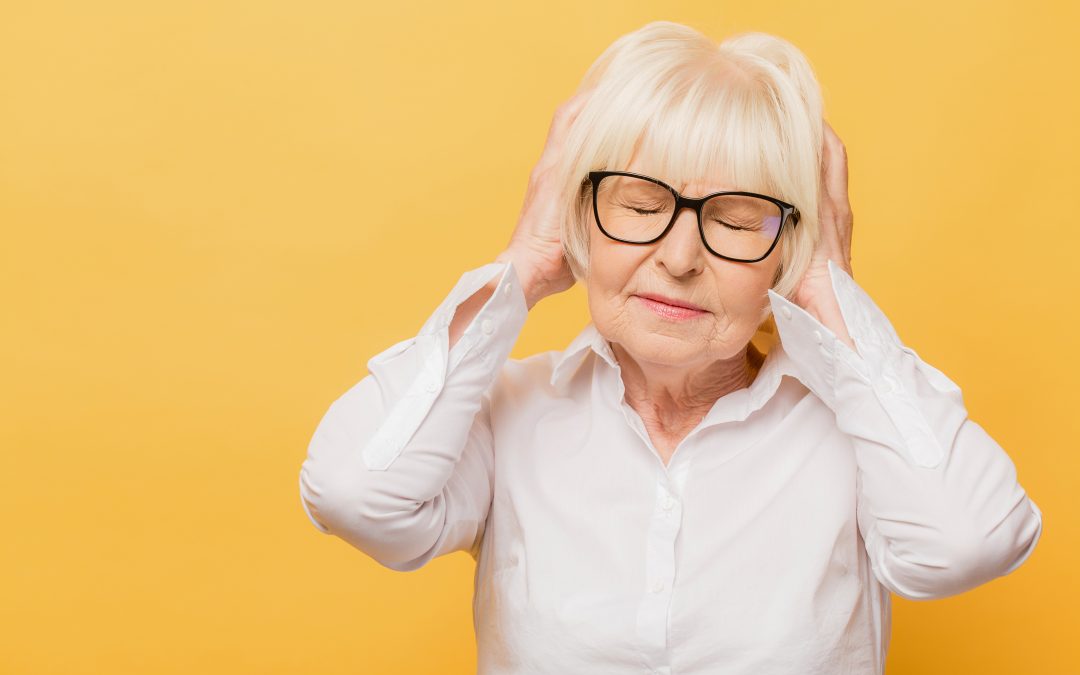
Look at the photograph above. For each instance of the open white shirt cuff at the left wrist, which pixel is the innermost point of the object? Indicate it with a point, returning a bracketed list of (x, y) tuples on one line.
[(414, 372)]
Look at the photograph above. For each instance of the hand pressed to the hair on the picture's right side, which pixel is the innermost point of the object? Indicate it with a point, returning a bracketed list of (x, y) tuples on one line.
[(815, 292)]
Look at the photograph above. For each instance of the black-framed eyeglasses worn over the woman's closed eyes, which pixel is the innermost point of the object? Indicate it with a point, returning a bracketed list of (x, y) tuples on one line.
[(738, 226)]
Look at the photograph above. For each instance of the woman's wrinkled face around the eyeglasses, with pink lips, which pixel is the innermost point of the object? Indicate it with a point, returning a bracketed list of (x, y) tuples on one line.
[(732, 295)]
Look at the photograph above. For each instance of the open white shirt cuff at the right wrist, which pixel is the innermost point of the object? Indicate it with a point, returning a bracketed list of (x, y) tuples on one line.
[(885, 373)]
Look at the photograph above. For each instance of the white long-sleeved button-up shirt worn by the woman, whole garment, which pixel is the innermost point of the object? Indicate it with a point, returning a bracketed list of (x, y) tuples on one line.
[(768, 545)]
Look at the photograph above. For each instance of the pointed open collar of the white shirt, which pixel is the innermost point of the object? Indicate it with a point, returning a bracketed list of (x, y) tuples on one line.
[(737, 406)]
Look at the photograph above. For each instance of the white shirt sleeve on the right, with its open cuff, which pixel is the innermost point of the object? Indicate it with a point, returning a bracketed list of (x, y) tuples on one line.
[(939, 504)]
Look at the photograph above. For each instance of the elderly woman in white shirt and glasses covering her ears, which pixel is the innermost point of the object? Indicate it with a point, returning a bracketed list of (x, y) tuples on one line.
[(736, 462)]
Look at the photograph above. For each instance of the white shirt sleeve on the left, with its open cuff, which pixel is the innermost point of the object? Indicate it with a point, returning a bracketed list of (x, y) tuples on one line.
[(401, 466)]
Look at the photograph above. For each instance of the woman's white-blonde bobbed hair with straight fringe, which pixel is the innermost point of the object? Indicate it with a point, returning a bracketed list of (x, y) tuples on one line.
[(748, 110)]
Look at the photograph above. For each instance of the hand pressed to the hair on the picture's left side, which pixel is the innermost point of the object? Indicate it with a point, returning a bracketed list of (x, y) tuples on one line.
[(536, 247)]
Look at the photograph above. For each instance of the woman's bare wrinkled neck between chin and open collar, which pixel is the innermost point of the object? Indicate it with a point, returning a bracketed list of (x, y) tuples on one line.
[(674, 398)]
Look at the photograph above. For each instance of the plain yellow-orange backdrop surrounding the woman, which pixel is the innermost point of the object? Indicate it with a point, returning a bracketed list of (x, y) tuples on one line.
[(212, 219)]
